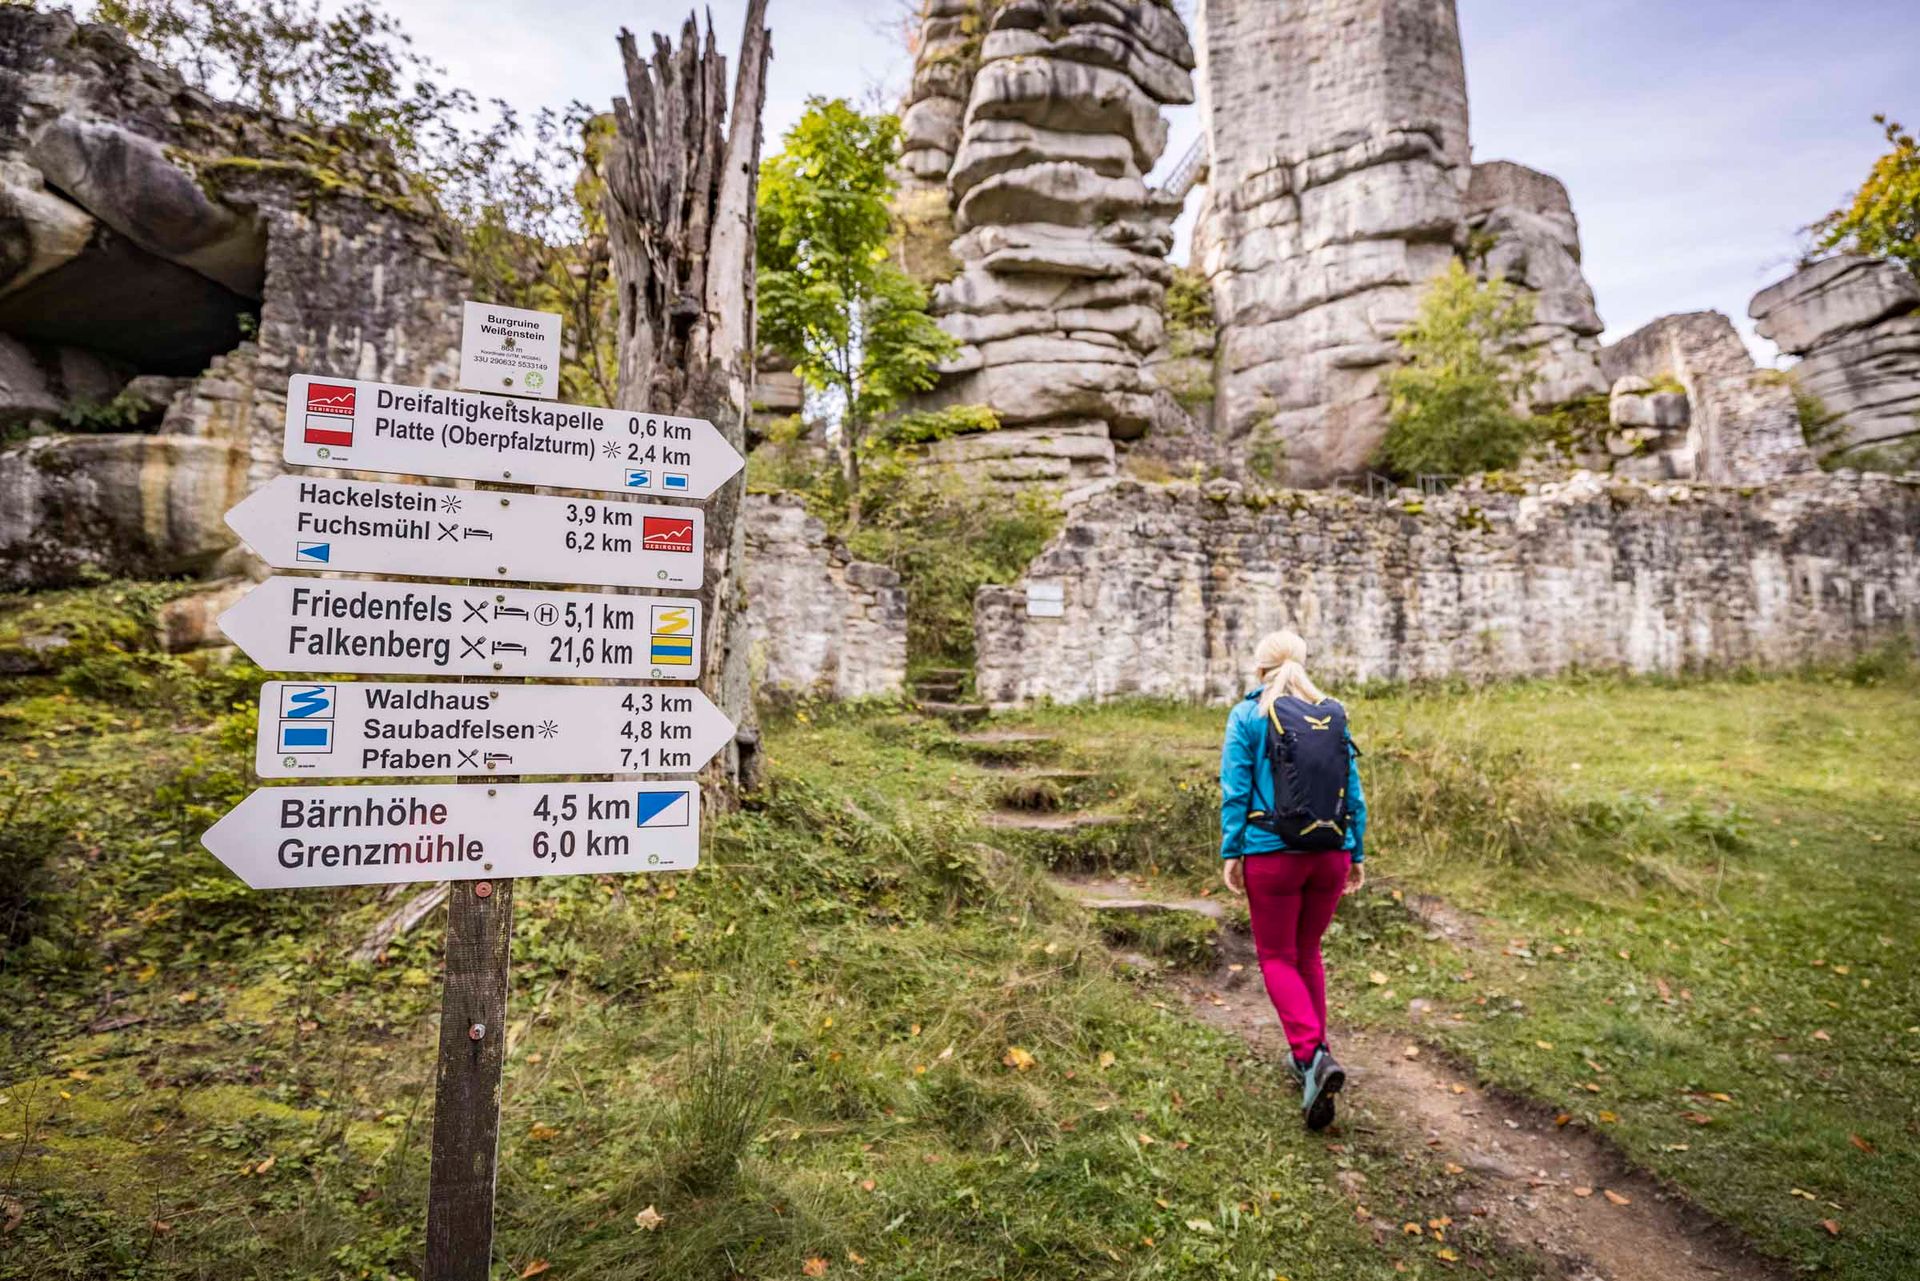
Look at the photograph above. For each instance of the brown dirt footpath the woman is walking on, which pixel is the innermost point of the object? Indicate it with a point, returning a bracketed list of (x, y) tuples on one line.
[(1554, 1192)]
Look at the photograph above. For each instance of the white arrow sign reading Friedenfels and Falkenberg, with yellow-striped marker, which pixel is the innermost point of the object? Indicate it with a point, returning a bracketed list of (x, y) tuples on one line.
[(420, 629)]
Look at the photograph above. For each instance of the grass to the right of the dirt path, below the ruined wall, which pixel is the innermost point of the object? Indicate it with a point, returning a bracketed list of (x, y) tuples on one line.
[(1696, 919)]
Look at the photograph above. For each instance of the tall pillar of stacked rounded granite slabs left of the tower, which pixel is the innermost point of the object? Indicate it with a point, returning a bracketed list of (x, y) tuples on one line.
[(1063, 245)]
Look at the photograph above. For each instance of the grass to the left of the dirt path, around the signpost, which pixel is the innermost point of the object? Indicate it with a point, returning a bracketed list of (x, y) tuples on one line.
[(861, 1042)]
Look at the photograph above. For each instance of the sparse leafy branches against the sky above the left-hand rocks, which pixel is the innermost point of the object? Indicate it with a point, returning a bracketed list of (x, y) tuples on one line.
[(525, 197)]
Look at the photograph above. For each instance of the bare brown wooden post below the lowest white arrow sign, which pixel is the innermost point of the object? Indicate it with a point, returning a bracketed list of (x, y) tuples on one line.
[(473, 1048)]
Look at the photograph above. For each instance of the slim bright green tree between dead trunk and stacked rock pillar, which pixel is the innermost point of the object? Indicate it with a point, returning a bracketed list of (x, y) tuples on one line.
[(832, 301)]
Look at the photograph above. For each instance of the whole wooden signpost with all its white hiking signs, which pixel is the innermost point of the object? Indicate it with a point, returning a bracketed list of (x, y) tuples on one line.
[(487, 833)]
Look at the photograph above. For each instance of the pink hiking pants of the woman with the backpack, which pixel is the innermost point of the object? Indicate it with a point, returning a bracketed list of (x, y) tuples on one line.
[(1291, 900)]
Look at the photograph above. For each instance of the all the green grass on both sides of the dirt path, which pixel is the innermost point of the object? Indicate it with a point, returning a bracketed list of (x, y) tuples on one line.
[(869, 1038)]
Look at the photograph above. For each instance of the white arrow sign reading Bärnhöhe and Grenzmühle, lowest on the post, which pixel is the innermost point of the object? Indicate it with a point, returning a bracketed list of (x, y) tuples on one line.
[(287, 838)]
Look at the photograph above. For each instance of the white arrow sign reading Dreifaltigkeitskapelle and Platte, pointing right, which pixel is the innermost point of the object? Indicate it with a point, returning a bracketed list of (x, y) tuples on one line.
[(469, 437)]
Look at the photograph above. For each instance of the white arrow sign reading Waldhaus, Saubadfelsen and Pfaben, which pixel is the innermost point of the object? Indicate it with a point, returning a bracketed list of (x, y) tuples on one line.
[(373, 731)]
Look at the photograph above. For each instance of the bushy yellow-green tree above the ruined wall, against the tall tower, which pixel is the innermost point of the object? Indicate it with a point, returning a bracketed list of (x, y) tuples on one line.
[(1454, 406)]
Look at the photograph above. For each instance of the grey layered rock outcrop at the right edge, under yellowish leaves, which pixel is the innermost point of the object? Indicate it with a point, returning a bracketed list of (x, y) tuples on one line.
[(1856, 326)]
